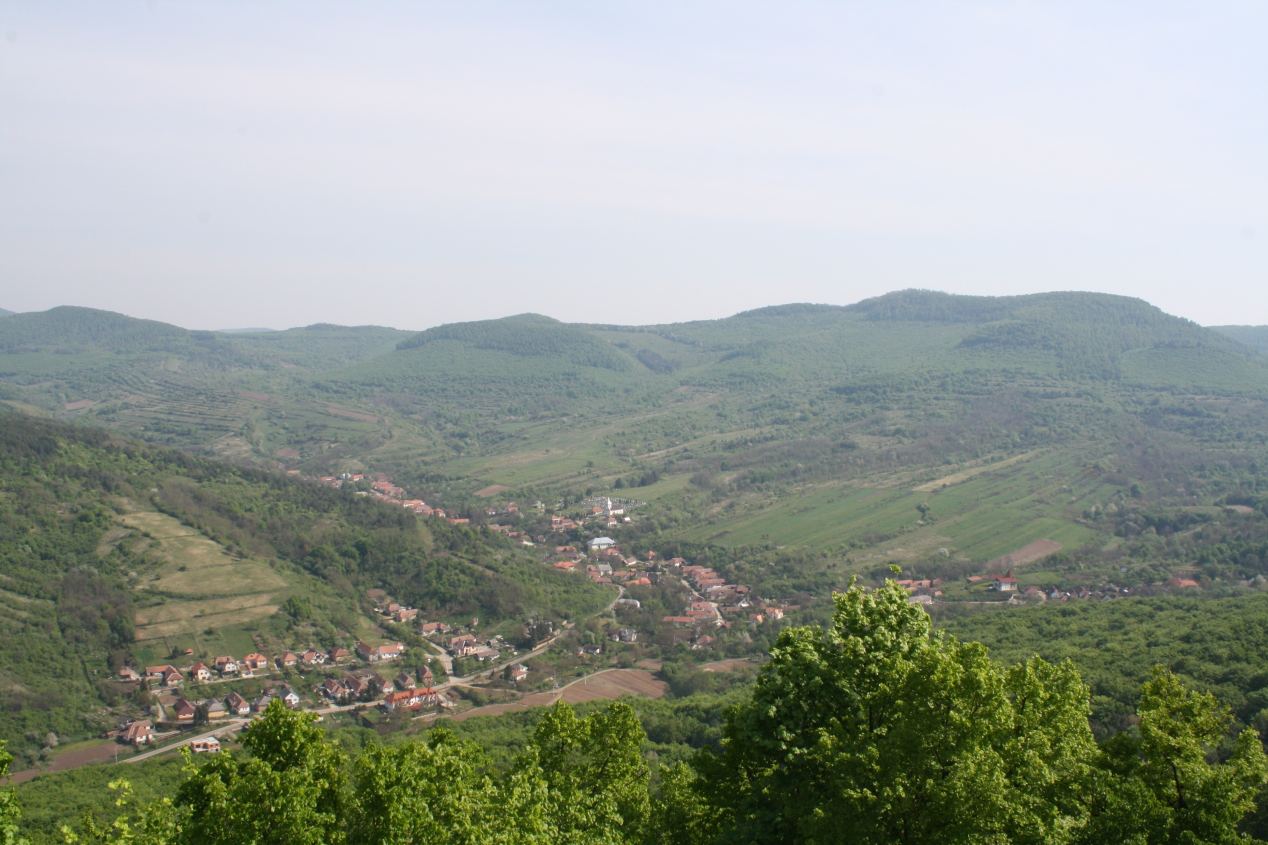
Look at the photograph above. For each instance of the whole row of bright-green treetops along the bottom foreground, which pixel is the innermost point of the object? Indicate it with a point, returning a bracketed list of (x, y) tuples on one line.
[(872, 731)]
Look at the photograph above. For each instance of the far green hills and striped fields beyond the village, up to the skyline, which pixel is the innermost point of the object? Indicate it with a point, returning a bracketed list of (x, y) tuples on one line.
[(917, 427)]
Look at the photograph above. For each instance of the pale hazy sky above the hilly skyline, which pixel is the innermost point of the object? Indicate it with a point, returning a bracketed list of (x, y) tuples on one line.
[(277, 164)]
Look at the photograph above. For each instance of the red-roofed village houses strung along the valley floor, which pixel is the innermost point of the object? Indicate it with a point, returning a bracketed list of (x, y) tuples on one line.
[(452, 669)]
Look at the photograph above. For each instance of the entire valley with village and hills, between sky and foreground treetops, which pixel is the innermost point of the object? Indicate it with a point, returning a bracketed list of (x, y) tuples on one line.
[(174, 498)]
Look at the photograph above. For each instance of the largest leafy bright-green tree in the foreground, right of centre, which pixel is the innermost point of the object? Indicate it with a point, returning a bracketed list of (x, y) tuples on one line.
[(874, 731)]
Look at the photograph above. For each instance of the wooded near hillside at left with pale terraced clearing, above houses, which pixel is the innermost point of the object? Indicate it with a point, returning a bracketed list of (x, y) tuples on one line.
[(113, 553)]
